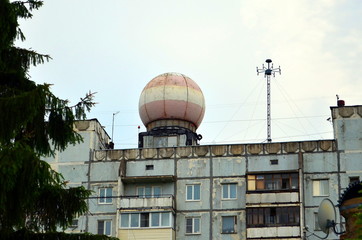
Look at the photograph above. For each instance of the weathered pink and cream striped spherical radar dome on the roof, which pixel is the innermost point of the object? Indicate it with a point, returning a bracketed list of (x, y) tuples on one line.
[(172, 96)]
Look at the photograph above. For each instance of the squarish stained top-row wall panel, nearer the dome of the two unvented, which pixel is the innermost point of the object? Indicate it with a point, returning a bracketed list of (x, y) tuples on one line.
[(193, 167)]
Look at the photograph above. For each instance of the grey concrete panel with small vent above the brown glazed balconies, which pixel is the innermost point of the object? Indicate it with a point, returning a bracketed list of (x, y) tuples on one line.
[(262, 163)]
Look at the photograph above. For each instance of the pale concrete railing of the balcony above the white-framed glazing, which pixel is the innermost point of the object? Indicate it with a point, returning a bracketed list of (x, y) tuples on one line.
[(142, 203)]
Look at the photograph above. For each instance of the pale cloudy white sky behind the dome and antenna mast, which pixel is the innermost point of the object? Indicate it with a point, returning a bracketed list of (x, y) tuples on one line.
[(115, 47)]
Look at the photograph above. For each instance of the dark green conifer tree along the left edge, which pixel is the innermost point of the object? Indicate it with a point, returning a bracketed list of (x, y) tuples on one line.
[(33, 123)]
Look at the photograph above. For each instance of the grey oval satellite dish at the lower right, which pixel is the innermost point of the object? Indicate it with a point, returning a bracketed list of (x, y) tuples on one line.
[(326, 215)]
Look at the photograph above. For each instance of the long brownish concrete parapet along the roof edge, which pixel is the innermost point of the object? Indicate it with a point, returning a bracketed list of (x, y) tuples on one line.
[(215, 150)]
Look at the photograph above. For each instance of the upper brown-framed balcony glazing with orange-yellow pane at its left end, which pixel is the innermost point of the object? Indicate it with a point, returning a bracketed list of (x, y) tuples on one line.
[(273, 182)]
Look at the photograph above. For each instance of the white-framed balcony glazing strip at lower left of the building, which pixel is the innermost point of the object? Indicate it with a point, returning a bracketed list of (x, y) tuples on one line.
[(145, 220)]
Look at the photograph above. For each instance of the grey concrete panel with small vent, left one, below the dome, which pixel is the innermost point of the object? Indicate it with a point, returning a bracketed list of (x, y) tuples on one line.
[(160, 168)]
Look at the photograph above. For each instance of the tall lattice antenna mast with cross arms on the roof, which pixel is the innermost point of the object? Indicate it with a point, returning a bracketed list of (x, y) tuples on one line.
[(268, 71)]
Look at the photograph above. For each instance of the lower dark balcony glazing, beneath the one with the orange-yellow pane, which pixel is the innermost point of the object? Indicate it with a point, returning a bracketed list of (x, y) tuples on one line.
[(273, 216)]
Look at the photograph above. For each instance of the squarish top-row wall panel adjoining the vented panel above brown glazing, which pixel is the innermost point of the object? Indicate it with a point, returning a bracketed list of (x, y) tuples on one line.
[(229, 166)]
